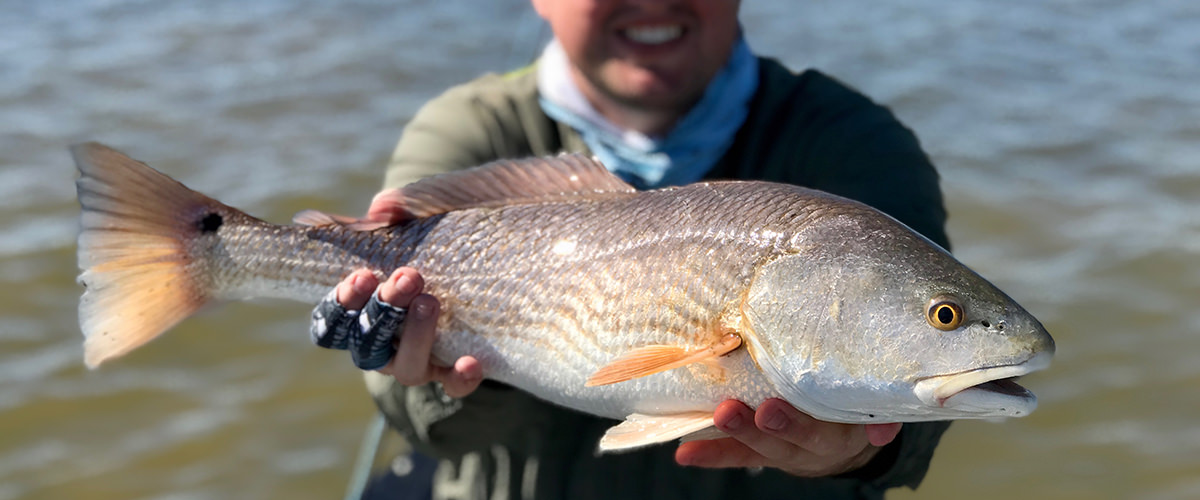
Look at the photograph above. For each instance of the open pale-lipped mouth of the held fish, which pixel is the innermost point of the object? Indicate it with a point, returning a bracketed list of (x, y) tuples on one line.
[(994, 383)]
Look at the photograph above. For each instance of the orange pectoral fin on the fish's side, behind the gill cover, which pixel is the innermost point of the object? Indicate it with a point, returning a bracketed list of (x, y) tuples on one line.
[(655, 359)]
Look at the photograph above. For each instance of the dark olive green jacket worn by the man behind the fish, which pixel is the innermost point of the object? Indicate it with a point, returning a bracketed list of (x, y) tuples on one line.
[(803, 129)]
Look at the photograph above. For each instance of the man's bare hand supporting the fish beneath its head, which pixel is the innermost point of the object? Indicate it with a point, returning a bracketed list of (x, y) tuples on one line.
[(778, 436)]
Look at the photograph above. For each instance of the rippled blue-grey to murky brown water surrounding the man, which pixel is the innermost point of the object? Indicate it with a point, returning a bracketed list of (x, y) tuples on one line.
[(1067, 135)]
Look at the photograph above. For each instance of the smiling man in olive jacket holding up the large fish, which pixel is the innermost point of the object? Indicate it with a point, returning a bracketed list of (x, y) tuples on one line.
[(664, 93)]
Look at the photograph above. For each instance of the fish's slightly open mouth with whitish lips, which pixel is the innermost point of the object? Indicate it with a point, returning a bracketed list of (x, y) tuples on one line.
[(991, 391)]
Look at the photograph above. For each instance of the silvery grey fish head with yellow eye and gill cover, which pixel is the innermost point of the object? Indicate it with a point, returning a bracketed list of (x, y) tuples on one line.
[(865, 321)]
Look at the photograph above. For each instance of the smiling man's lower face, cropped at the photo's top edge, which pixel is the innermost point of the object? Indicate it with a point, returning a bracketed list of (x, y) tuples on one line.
[(653, 55)]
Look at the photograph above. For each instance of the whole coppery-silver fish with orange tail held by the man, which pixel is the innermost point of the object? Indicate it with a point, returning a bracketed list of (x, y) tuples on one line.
[(651, 308)]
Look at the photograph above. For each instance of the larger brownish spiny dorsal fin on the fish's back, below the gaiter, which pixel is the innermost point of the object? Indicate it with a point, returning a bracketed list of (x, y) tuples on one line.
[(513, 183)]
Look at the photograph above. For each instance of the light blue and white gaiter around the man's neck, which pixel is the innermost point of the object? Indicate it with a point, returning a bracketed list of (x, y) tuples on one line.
[(689, 152)]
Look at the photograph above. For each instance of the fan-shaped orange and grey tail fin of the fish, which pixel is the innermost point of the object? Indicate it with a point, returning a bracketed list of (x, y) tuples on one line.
[(136, 230)]
